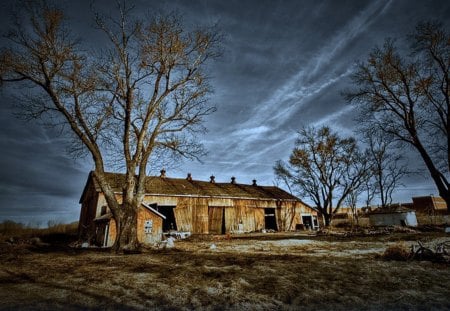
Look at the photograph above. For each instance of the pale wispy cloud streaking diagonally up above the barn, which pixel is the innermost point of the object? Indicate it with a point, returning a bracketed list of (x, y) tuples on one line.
[(266, 125)]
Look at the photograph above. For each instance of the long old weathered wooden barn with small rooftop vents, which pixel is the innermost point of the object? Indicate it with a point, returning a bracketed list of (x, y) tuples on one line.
[(197, 207)]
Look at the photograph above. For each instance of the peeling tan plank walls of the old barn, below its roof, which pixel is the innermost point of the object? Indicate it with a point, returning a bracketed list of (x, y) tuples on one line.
[(201, 215)]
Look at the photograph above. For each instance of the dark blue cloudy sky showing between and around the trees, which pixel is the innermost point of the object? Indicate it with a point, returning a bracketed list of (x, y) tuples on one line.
[(284, 66)]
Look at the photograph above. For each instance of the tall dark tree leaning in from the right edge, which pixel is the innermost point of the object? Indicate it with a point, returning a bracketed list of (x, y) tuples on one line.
[(408, 97)]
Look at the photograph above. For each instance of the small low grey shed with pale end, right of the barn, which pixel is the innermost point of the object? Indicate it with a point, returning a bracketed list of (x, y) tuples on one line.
[(394, 215)]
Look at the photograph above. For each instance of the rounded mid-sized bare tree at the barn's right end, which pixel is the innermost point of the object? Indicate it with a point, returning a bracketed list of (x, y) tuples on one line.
[(325, 168)]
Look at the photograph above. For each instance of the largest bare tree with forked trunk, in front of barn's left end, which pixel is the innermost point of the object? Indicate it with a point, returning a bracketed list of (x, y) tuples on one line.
[(145, 92)]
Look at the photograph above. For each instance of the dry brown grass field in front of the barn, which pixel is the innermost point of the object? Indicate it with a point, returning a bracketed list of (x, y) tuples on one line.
[(254, 272)]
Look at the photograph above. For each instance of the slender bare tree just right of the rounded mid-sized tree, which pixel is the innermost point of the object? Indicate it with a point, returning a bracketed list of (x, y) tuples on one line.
[(388, 167)]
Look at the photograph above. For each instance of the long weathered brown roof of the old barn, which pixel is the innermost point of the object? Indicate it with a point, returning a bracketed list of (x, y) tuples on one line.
[(156, 185)]
